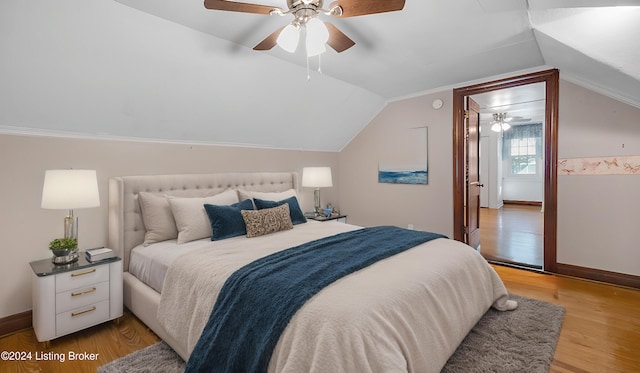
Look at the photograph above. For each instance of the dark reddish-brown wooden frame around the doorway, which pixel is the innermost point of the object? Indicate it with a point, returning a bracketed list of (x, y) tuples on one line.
[(551, 78)]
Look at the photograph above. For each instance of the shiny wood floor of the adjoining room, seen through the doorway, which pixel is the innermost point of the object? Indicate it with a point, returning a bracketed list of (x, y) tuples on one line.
[(513, 234)]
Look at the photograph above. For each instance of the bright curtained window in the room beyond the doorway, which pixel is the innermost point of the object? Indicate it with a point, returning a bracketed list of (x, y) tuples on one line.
[(522, 148)]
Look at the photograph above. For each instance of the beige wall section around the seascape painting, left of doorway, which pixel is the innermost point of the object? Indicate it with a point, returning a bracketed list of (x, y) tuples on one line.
[(427, 207)]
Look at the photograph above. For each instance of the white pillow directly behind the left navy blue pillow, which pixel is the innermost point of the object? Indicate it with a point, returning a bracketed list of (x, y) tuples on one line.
[(191, 218)]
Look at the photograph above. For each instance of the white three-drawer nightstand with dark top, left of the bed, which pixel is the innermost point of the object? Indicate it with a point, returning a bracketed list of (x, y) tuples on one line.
[(71, 297)]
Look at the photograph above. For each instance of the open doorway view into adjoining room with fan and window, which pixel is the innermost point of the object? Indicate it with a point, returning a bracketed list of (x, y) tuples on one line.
[(511, 174)]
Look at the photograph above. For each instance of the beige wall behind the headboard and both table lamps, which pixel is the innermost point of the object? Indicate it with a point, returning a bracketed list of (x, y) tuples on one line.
[(26, 229)]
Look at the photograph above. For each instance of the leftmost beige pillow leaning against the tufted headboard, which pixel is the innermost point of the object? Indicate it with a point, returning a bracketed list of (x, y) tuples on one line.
[(157, 218)]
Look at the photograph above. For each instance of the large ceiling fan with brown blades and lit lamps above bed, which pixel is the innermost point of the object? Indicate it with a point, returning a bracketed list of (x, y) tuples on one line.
[(305, 13)]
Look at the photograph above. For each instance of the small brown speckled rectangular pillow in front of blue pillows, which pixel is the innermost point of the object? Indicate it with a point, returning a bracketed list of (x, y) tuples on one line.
[(265, 221)]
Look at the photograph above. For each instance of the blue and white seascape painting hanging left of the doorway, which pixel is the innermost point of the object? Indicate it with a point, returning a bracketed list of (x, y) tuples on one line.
[(408, 162)]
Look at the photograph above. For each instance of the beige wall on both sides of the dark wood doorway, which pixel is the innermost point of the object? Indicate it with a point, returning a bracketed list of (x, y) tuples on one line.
[(597, 215)]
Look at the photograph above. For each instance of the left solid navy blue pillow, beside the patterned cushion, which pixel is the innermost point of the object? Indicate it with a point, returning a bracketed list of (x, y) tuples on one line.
[(227, 221)]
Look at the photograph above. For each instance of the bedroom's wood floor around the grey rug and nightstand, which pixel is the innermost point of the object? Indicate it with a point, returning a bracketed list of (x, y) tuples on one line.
[(600, 333)]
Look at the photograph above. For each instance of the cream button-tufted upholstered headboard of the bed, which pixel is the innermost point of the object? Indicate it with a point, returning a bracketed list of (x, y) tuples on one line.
[(126, 229)]
